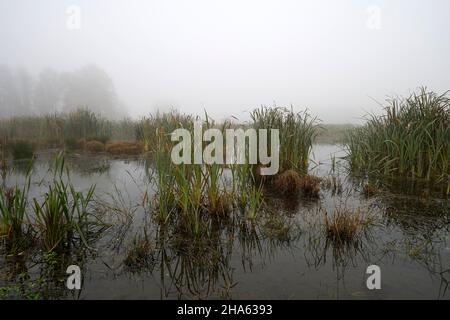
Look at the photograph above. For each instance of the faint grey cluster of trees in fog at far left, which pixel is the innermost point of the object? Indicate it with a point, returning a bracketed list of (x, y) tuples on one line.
[(89, 87)]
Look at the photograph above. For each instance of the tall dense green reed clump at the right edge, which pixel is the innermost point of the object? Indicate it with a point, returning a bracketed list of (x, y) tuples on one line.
[(410, 140)]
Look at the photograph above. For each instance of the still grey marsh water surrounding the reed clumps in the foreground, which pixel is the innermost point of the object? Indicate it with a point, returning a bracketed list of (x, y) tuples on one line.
[(408, 239)]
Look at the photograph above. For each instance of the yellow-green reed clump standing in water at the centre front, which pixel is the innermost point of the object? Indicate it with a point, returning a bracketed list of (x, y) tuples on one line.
[(185, 192)]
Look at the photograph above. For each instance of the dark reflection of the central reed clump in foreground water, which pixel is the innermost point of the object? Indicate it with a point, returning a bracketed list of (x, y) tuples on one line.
[(198, 268)]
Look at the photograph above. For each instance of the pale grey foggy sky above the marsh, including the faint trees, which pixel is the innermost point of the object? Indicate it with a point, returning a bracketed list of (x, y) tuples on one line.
[(337, 58)]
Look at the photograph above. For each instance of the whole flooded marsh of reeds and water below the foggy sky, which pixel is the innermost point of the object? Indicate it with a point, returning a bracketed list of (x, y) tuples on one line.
[(106, 196)]
